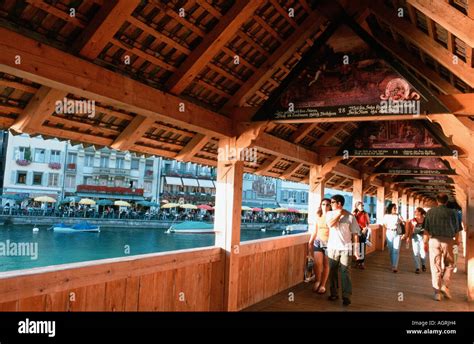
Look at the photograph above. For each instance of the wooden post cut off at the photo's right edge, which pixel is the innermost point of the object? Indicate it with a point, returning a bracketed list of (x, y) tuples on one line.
[(470, 242)]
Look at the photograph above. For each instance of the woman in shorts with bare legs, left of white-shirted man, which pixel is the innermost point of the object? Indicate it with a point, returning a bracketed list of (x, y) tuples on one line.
[(318, 243)]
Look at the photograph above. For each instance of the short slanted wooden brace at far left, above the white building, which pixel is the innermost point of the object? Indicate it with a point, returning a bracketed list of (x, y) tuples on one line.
[(39, 108)]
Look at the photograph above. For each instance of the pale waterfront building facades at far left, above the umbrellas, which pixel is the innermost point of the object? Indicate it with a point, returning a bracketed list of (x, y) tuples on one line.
[(36, 167)]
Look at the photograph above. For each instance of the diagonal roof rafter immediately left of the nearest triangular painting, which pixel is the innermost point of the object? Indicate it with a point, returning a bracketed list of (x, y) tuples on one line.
[(278, 58)]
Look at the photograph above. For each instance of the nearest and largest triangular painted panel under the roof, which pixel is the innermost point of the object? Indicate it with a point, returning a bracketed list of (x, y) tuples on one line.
[(347, 77)]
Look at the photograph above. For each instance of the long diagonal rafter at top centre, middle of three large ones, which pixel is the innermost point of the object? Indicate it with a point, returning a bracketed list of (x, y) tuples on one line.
[(212, 43)]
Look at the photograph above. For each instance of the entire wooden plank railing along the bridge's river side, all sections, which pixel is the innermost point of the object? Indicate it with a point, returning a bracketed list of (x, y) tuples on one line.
[(187, 280)]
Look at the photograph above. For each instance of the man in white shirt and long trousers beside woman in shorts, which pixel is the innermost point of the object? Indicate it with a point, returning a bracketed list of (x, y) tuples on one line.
[(343, 233)]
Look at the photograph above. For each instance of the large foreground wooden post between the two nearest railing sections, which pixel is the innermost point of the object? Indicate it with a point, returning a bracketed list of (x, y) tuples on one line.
[(228, 217)]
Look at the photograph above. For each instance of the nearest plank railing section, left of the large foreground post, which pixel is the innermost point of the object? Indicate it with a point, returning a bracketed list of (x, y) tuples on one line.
[(190, 280)]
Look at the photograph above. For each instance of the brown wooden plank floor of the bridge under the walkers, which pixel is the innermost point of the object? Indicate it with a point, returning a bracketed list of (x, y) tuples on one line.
[(378, 289)]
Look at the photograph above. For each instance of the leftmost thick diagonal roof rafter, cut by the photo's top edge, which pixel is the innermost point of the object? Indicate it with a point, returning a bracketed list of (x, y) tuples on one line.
[(103, 27)]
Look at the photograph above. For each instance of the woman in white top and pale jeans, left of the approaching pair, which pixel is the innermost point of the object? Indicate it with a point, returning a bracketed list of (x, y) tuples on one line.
[(392, 223)]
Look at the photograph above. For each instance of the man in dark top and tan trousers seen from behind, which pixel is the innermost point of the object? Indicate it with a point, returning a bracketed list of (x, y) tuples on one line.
[(442, 227)]
